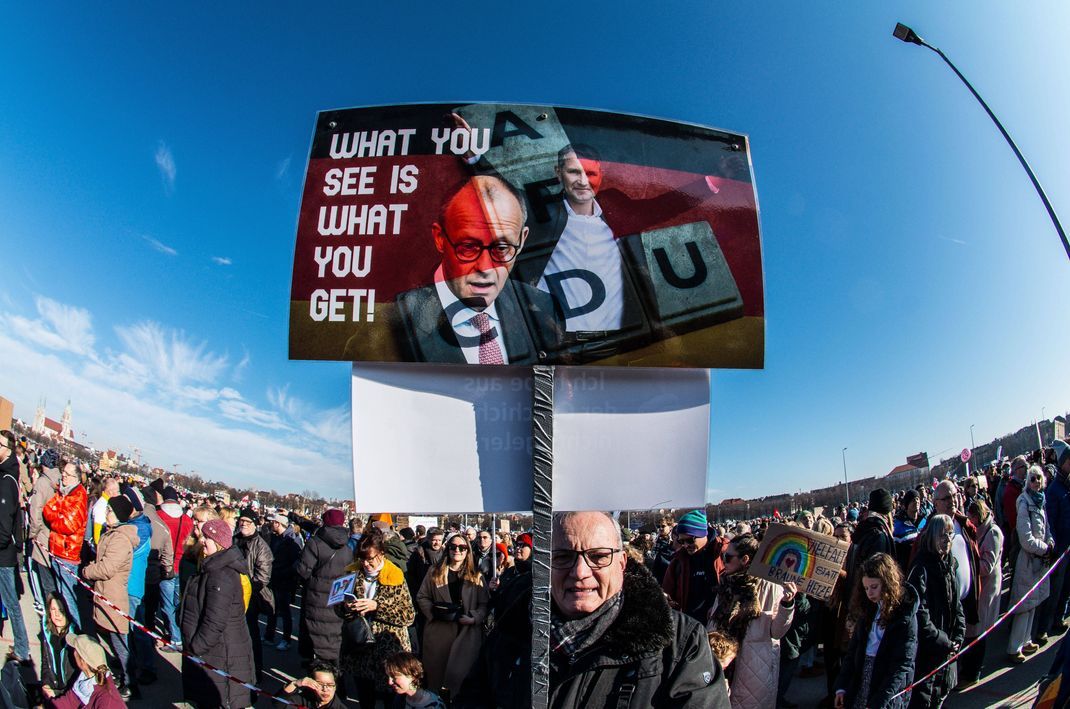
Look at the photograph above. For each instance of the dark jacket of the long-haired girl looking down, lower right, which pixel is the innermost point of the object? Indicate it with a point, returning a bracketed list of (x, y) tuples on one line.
[(894, 666)]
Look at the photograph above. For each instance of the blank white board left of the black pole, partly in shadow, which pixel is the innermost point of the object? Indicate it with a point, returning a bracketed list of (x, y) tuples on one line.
[(442, 439)]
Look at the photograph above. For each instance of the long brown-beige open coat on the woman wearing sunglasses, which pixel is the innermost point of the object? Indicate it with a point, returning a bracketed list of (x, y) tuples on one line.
[(451, 649)]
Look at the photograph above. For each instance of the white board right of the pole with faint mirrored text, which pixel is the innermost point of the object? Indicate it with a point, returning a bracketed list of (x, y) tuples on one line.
[(630, 438)]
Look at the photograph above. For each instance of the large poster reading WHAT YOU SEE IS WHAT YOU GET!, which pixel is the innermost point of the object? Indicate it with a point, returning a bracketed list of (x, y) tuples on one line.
[(516, 235)]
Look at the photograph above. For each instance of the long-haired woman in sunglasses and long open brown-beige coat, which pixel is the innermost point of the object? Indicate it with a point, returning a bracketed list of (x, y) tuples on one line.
[(454, 600)]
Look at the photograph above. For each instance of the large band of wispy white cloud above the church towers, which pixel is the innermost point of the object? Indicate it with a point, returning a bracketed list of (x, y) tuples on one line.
[(158, 382)]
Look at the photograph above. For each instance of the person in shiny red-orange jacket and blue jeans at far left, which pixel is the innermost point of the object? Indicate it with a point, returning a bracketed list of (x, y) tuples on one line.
[(66, 516)]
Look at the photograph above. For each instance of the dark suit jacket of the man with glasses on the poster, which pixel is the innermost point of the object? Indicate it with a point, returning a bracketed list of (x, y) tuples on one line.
[(532, 327)]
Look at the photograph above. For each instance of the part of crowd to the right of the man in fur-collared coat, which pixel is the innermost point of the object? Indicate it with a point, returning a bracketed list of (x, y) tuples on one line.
[(924, 579)]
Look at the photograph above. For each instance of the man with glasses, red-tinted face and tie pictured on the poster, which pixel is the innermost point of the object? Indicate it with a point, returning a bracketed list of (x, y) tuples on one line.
[(472, 314)]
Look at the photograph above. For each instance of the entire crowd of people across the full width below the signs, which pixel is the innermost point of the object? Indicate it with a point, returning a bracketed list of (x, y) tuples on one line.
[(668, 615)]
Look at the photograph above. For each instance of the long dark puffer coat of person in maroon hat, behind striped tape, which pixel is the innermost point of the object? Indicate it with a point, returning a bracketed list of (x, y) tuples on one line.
[(213, 628)]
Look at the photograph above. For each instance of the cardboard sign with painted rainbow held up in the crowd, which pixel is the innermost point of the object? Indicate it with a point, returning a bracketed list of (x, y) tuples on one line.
[(811, 560)]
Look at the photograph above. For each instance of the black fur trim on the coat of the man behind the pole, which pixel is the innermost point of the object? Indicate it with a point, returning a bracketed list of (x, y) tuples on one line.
[(646, 623)]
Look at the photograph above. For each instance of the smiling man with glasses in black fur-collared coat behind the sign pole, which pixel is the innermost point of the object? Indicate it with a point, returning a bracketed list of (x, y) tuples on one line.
[(614, 639)]
